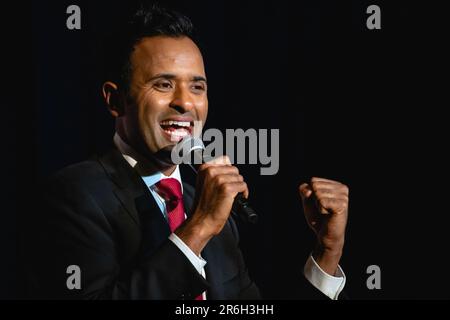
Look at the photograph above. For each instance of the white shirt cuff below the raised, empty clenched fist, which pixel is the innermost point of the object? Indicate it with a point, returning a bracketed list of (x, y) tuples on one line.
[(327, 284)]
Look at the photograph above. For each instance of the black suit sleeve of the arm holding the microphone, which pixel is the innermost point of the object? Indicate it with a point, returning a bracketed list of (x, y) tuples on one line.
[(71, 229)]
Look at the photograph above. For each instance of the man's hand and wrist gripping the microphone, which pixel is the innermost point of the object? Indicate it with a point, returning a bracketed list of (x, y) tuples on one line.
[(218, 183)]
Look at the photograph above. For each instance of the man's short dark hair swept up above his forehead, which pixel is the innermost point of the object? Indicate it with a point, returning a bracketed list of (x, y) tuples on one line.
[(147, 21)]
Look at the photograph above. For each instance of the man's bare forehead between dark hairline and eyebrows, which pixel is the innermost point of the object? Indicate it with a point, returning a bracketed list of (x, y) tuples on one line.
[(160, 54)]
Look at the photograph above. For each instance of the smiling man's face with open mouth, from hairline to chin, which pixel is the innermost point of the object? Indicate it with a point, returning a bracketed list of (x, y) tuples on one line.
[(167, 93)]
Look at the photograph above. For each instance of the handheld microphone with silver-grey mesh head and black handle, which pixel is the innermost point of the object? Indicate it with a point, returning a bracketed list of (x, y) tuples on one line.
[(191, 149)]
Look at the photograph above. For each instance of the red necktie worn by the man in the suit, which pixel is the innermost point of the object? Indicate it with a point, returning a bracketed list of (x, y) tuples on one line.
[(170, 190)]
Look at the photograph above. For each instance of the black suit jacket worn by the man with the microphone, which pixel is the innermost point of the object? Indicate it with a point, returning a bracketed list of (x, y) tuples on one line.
[(100, 216)]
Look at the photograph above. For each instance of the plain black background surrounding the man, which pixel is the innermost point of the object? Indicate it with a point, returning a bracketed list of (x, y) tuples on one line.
[(365, 107)]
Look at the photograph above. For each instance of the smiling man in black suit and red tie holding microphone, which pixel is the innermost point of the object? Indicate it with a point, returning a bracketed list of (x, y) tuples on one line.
[(127, 222)]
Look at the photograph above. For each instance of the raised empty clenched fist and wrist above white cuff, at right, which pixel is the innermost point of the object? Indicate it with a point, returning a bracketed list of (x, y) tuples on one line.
[(325, 203)]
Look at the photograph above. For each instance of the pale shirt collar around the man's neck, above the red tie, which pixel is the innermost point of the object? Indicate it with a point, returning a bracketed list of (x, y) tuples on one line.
[(133, 158)]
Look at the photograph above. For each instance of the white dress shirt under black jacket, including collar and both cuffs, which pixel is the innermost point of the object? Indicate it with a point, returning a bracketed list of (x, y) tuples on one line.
[(329, 285)]
